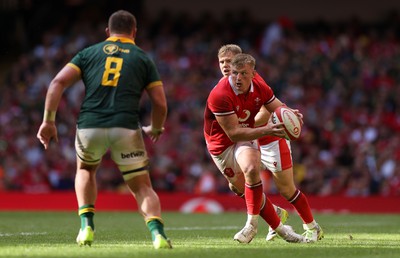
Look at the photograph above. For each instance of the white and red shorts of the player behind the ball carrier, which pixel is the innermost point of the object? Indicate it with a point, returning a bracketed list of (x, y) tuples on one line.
[(276, 156)]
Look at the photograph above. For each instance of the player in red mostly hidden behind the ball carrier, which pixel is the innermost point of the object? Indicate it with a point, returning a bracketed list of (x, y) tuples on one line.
[(276, 157)]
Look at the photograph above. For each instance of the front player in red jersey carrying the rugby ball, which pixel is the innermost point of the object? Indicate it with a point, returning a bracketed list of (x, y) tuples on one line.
[(231, 136)]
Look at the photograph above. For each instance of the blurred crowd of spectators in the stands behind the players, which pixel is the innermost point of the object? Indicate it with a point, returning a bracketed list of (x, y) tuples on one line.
[(344, 78)]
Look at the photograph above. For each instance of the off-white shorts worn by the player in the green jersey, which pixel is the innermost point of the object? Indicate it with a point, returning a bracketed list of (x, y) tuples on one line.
[(126, 146)]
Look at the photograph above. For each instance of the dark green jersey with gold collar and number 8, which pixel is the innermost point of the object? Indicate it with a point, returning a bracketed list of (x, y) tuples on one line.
[(115, 73)]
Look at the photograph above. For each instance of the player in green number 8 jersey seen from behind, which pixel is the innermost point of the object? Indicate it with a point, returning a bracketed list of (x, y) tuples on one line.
[(115, 73)]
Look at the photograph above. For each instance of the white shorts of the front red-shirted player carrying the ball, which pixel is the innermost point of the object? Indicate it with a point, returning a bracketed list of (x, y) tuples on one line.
[(227, 161)]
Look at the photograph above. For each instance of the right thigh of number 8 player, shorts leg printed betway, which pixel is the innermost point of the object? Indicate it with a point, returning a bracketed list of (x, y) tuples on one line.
[(129, 152)]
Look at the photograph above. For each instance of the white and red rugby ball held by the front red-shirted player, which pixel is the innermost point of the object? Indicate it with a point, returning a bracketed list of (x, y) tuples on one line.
[(290, 121)]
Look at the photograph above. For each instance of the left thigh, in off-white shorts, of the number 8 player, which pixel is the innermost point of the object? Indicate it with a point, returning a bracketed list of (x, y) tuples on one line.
[(90, 145)]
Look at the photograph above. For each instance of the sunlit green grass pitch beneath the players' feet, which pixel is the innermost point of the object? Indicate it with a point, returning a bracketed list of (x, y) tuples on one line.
[(124, 234)]
